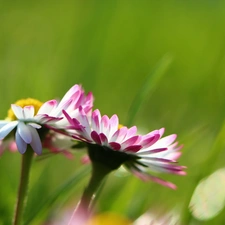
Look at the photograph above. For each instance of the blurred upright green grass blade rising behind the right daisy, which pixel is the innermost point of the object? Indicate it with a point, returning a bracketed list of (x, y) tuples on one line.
[(149, 85)]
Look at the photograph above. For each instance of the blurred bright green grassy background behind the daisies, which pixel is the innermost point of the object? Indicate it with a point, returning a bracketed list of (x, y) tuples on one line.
[(110, 47)]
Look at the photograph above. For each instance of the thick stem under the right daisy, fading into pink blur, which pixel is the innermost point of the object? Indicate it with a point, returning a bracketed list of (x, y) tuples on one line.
[(83, 210)]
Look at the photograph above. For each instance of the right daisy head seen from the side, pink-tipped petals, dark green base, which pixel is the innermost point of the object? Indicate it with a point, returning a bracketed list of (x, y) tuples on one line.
[(114, 145)]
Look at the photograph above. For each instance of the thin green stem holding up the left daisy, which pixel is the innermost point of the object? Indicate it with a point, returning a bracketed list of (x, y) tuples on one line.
[(24, 179)]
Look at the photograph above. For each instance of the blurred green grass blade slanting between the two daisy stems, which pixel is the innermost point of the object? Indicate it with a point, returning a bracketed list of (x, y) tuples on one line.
[(59, 193)]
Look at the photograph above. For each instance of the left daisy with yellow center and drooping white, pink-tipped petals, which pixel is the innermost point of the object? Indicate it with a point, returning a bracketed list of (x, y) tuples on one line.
[(31, 119)]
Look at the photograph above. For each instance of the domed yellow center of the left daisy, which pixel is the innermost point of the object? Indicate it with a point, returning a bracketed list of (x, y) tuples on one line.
[(22, 103)]
